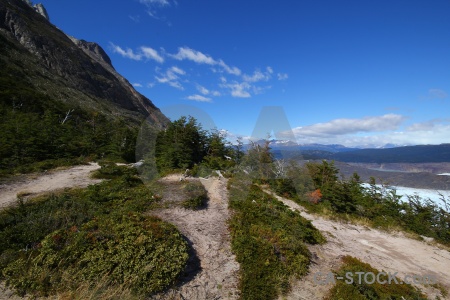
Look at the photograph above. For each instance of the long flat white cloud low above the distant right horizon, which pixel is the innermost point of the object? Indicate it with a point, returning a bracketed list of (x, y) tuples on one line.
[(352, 126)]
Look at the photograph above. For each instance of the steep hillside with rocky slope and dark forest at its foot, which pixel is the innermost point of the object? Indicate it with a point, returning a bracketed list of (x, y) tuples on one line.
[(61, 98)]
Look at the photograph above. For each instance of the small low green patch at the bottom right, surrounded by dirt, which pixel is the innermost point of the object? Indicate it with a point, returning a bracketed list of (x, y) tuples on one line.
[(363, 290)]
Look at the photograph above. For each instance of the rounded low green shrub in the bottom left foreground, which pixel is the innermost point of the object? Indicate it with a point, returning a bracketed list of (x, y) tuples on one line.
[(142, 253)]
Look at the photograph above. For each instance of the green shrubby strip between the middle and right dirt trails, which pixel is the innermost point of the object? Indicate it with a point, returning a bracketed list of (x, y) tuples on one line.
[(268, 240)]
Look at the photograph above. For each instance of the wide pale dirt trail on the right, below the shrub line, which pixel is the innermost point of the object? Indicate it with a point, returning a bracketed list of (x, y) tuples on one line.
[(382, 250)]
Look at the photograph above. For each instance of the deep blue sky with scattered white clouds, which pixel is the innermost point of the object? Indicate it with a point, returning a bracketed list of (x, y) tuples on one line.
[(351, 72)]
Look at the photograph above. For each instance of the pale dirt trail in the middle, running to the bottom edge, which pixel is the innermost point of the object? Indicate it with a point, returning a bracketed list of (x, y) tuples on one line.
[(213, 273)]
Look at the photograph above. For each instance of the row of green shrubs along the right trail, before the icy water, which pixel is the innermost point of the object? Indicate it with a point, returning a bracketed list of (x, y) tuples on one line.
[(380, 205)]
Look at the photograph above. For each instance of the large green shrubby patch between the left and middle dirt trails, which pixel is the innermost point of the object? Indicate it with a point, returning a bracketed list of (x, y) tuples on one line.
[(93, 240)]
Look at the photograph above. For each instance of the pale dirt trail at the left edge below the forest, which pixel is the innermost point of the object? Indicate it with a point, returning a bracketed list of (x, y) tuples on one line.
[(77, 176)]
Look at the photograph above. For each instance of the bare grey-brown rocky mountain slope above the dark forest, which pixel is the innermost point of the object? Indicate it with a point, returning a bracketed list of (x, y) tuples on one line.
[(65, 68)]
